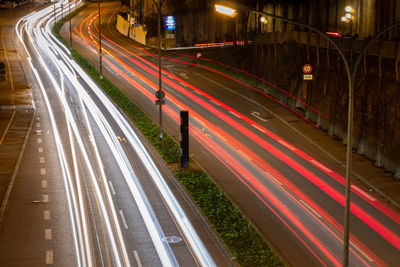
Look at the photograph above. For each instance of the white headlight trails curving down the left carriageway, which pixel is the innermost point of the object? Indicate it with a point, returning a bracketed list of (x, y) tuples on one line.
[(64, 75)]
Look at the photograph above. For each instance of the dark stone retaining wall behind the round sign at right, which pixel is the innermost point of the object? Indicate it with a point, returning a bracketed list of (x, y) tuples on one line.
[(279, 58)]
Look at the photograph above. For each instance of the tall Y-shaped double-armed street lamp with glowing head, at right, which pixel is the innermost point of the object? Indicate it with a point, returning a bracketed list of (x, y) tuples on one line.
[(351, 71)]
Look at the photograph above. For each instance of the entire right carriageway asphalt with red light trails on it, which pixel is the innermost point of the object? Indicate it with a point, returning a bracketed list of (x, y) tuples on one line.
[(291, 192)]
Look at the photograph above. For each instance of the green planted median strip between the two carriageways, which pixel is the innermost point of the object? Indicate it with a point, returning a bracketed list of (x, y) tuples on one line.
[(242, 239)]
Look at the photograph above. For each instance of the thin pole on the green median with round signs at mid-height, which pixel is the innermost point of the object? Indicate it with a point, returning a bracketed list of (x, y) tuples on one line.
[(160, 93)]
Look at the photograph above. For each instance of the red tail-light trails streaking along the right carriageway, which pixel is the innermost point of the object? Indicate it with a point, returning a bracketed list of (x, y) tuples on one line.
[(240, 159)]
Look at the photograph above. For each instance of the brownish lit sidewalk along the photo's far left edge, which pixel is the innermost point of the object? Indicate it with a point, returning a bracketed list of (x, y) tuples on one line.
[(16, 109)]
